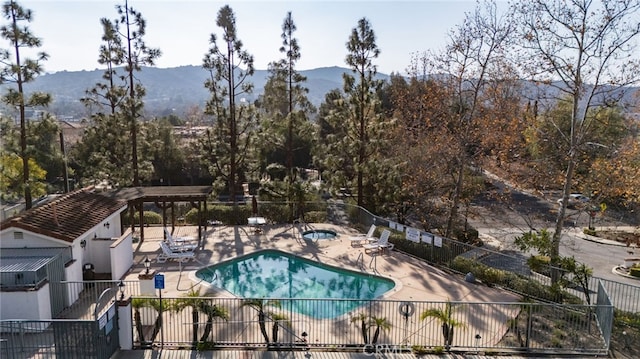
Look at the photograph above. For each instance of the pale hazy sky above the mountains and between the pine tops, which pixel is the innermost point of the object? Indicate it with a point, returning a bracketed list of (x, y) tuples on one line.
[(71, 31)]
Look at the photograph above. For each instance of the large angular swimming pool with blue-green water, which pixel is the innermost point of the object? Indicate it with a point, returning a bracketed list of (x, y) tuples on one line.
[(277, 274)]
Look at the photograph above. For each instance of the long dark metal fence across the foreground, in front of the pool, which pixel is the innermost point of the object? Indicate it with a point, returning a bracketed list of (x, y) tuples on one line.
[(375, 326)]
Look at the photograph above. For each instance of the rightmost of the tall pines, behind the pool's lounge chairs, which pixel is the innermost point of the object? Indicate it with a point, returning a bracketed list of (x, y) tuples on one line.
[(355, 150)]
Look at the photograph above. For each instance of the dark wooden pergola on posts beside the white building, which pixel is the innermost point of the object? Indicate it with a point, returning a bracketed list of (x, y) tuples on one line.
[(165, 197)]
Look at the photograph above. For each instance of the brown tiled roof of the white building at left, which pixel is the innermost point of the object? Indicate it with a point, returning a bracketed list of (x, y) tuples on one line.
[(68, 216)]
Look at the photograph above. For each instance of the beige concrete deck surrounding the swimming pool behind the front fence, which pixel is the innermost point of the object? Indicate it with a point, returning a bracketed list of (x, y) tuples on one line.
[(416, 280)]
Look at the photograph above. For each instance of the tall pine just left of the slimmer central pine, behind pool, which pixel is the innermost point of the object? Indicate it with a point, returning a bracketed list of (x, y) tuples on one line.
[(225, 147)]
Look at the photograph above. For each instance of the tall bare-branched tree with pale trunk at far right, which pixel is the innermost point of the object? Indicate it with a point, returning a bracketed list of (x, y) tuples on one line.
[(584, 49)]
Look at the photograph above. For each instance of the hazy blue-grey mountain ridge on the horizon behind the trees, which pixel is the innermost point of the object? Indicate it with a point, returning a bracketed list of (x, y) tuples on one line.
[(176, 90)]
